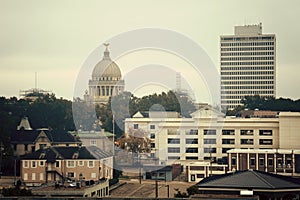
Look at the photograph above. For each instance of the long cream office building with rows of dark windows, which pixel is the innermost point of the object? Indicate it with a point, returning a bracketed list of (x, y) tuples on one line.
[(208, 134)]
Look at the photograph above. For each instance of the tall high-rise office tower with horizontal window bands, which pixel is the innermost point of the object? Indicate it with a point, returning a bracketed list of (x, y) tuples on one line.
[(248, 65)]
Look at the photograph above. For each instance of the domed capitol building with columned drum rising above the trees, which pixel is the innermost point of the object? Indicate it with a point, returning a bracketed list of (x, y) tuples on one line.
[(106, 81)]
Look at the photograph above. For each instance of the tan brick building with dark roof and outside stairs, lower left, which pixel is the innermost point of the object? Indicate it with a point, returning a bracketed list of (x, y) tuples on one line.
[(58, 164)]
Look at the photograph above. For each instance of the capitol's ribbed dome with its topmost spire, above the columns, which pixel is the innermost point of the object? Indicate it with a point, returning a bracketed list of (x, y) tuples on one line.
[(106, 67)]
